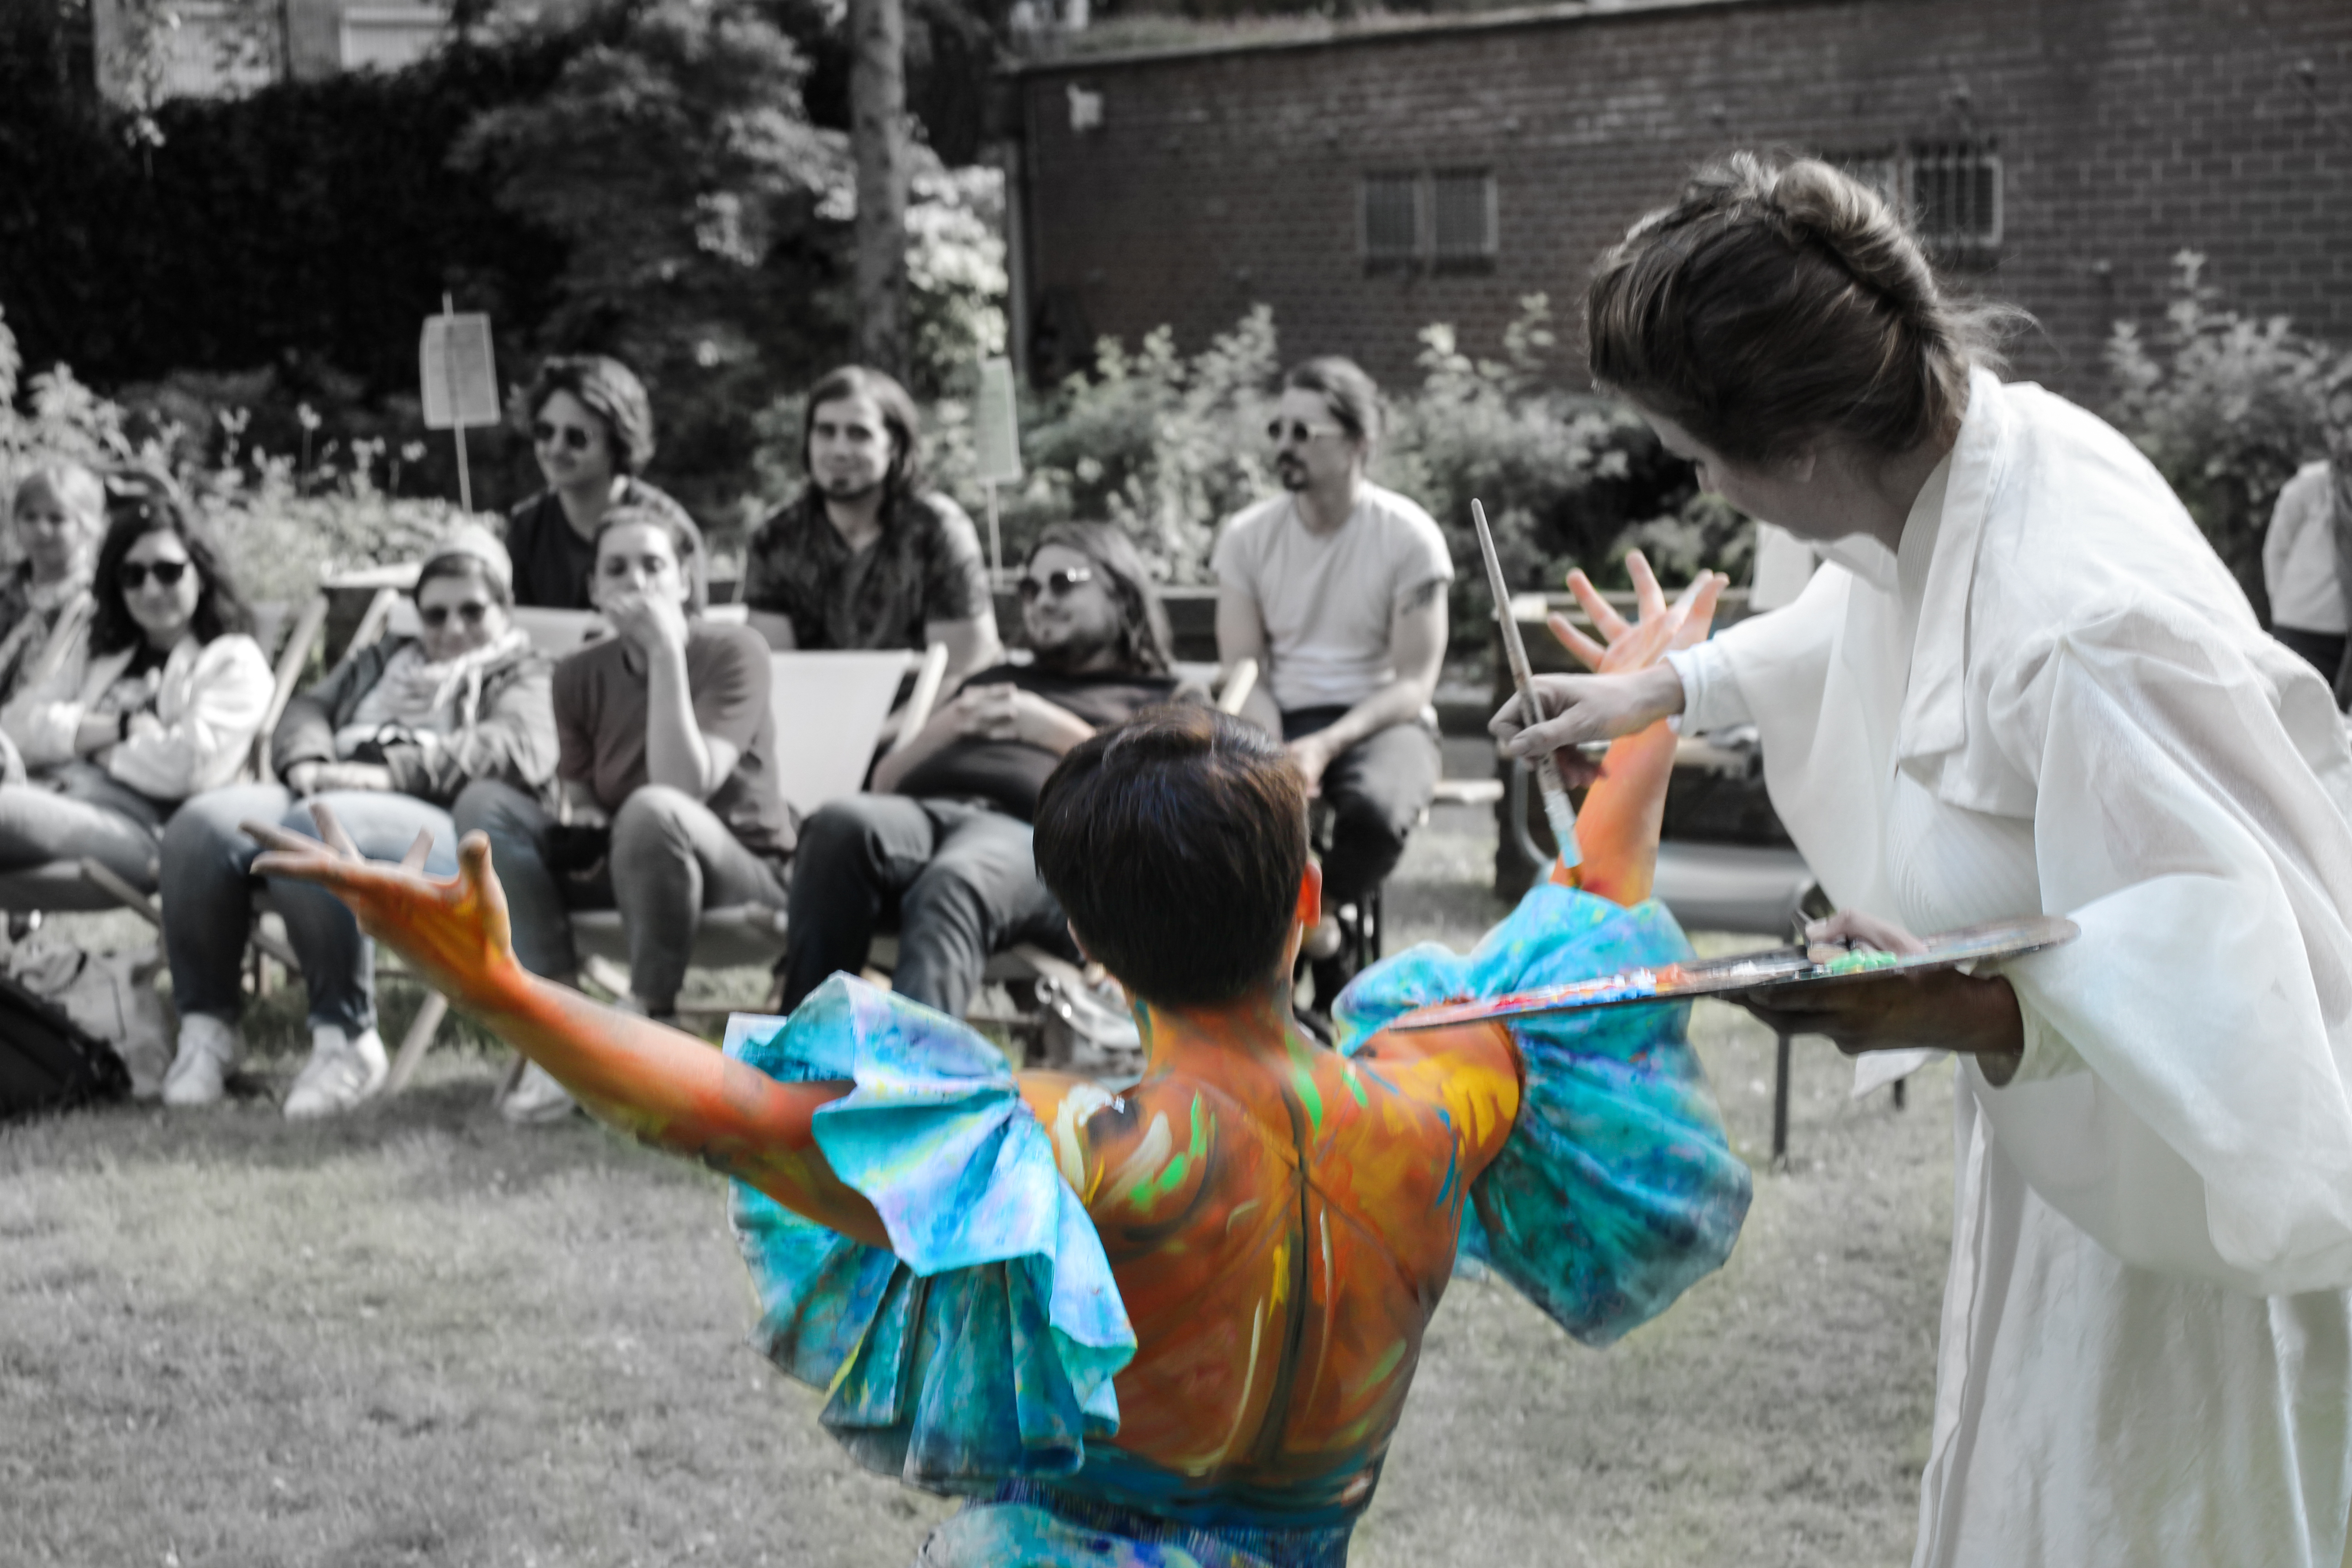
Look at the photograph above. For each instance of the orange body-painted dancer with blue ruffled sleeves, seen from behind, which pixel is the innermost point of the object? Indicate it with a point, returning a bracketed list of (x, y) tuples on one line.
[(1172, 1325)]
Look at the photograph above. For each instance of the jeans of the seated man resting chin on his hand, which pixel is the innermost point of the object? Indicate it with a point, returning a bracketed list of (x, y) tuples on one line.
[(671, 859)]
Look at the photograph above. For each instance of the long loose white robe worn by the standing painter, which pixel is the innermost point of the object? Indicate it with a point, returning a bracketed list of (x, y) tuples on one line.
[(2054, 699)]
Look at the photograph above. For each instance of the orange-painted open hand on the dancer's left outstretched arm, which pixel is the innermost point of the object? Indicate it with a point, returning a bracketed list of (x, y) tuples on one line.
[(453, 934)]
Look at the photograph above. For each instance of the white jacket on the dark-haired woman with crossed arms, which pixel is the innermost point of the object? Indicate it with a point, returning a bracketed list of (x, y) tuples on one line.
[(211, 704)]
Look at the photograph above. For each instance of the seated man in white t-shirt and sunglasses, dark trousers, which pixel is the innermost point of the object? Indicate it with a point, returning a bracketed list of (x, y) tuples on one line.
[(1339, 591)]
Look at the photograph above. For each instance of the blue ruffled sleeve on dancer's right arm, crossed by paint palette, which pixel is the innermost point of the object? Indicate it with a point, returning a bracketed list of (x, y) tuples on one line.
[(1617, 1188)]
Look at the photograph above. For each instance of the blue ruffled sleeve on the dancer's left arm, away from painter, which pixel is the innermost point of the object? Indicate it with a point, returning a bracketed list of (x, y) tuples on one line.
[(984, 1343)]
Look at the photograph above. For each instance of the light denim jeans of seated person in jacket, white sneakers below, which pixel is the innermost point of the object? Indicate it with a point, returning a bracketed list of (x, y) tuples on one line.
[(208, 897)]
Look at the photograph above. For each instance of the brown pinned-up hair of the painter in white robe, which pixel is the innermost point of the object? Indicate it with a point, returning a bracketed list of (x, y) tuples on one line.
[(1779, 304)]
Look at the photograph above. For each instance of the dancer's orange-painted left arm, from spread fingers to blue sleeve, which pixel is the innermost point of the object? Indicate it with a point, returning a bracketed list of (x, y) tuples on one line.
[(653, 1083)]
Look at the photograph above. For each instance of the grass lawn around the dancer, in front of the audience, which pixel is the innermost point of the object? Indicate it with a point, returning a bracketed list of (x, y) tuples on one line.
[(420, 1336)]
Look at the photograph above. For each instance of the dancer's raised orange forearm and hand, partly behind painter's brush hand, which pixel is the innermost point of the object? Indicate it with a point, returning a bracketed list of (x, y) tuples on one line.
[(1617, 829)]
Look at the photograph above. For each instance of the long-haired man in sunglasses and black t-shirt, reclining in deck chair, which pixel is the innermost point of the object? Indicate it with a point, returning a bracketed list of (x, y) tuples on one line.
[(944, 840)]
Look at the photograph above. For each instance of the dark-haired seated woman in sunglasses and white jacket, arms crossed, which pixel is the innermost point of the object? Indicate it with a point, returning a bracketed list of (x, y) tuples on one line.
[(159, 706)]
